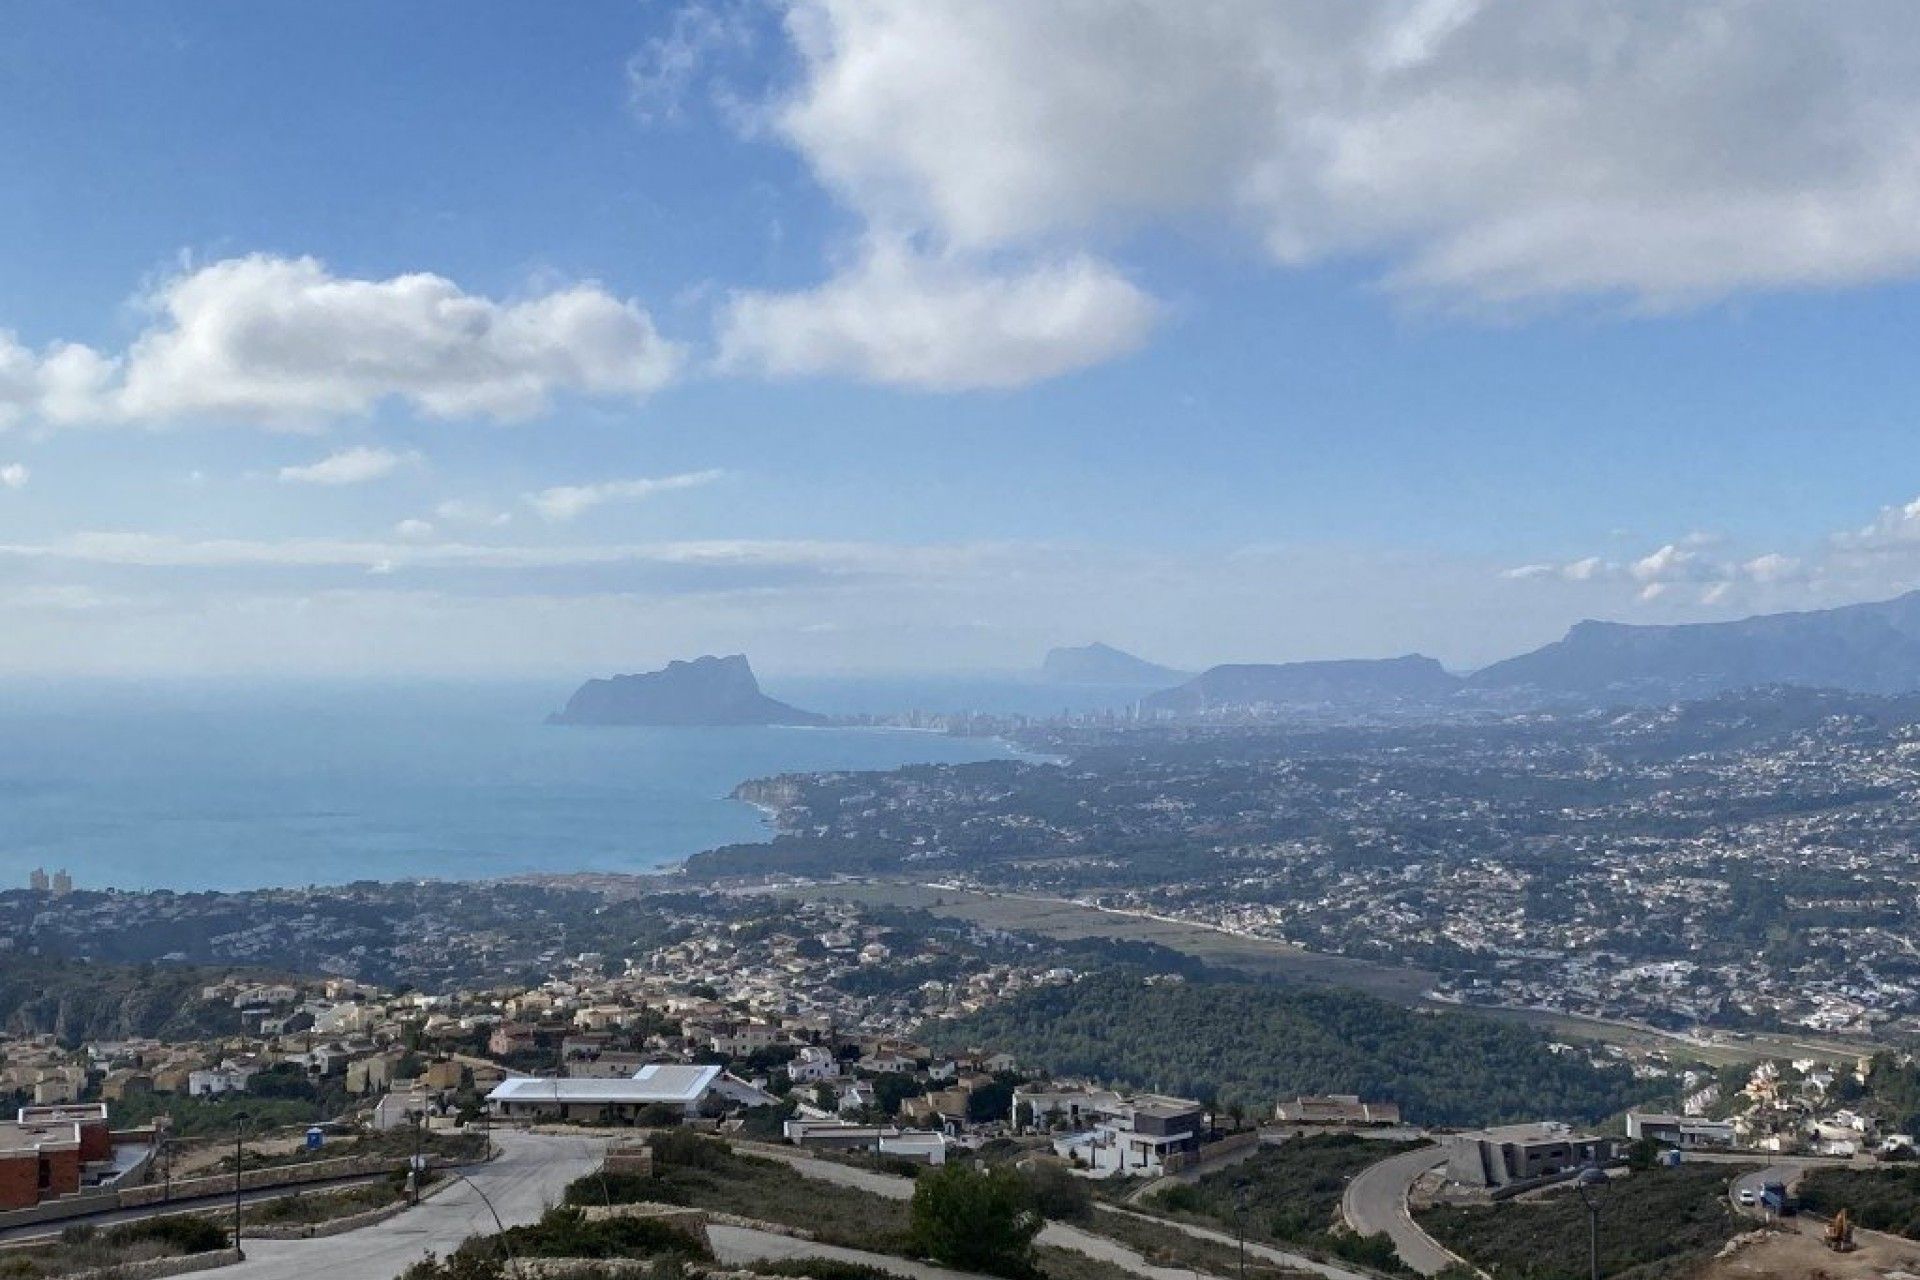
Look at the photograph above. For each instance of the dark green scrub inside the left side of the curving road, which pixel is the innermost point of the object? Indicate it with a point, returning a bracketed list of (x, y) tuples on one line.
[(1291, 1195)]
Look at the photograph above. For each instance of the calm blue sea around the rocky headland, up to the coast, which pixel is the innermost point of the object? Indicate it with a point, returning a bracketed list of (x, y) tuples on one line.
[(222, 788)]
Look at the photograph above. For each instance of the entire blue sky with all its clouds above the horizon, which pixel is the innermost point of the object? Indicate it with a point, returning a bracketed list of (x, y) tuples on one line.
[(529, 339)]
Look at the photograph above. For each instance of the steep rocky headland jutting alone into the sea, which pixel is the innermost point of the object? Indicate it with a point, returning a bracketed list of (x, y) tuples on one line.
[(706, 692)]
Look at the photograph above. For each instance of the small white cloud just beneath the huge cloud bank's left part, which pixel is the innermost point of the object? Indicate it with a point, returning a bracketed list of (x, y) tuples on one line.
[(911, 320)]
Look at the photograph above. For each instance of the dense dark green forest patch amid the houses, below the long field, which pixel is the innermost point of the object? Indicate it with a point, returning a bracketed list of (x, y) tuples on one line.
[(1253, 1045)]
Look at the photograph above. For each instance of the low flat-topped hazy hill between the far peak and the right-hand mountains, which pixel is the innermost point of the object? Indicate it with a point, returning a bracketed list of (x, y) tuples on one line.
[(1347, 682)]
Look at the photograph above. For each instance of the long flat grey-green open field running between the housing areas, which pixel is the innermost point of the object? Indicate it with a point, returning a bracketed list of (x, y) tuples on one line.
[(1057, 918)]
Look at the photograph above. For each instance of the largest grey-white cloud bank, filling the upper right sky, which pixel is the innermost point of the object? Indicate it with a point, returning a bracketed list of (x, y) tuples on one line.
[(1491, 151)]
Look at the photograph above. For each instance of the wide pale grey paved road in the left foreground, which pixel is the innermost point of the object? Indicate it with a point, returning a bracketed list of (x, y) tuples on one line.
[(521, 1183)]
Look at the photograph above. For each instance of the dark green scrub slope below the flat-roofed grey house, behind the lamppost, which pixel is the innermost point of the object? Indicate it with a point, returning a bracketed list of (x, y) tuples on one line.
[(1656, 1225)]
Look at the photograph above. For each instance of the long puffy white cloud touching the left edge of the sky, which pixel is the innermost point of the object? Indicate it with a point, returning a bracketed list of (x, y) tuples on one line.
[(285, 343)]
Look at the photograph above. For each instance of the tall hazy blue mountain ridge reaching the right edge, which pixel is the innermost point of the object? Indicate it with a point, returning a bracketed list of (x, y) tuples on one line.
[(1858, 648)]
